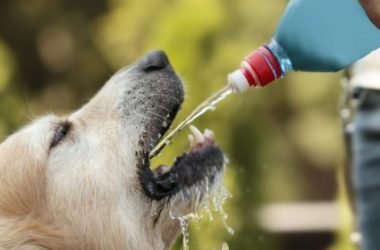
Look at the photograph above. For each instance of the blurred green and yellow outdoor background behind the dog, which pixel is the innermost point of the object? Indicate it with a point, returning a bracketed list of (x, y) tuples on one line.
[(284, 141)]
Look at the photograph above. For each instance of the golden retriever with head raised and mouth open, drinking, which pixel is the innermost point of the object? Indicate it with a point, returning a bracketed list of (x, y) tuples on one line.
[(83, 181)]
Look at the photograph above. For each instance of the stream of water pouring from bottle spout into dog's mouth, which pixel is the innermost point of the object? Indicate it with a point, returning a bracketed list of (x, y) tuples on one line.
[(207, 105)]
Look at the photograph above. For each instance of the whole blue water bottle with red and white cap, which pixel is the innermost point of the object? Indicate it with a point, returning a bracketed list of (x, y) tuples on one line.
[(313, 35)]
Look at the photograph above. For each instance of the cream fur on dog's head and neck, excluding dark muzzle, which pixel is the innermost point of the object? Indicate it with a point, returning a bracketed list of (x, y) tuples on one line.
[(84, 193)]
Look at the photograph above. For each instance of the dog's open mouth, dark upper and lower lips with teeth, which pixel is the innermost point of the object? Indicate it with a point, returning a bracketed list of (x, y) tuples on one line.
[(202, 163)]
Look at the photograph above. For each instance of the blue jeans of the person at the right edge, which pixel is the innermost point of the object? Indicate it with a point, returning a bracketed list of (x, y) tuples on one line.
[(366, 167)]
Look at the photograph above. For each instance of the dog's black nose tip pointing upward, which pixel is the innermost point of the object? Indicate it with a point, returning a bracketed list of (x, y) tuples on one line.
[(154, 60)]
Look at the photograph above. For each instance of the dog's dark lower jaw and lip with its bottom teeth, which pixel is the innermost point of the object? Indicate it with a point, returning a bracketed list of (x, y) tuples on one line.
[(200, 164)]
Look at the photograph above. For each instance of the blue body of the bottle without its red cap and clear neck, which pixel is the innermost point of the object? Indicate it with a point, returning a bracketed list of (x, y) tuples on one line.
[(326, 35)]
